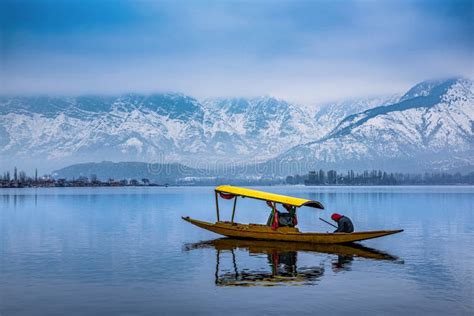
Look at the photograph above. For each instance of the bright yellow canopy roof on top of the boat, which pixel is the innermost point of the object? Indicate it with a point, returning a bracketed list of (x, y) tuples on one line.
[(261, 195)]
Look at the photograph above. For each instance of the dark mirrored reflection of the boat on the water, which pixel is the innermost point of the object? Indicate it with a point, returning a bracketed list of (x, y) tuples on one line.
[(282, 259)]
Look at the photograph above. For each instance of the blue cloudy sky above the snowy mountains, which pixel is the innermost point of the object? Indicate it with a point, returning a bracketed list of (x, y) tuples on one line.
[(304, 51)]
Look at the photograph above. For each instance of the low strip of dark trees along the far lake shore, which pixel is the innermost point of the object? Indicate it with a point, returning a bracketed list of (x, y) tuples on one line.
[(19, 179)]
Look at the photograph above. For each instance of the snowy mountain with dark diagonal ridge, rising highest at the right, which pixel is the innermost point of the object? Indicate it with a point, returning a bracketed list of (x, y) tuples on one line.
[(430, 128)]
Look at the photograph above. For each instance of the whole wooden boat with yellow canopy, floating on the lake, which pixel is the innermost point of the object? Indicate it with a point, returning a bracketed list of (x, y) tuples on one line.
[(273, 232)]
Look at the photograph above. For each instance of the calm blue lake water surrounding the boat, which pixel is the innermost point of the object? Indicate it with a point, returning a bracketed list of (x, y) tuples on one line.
[(127, 251)]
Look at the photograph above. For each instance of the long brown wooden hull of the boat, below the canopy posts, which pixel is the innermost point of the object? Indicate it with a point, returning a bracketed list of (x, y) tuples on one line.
[(263, 232)]
